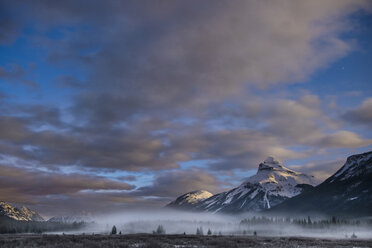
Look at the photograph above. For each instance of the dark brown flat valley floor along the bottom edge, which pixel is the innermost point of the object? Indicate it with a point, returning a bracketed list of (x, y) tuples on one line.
[(157, 241)]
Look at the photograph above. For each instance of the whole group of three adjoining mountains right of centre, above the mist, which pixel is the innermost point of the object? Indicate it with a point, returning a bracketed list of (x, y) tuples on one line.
[(277, 189)]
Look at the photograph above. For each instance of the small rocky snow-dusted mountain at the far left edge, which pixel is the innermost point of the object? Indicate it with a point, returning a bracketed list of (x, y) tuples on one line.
[(21, 213)]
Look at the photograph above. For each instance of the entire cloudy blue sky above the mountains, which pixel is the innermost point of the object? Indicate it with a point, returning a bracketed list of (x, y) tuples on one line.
[(114, 105)]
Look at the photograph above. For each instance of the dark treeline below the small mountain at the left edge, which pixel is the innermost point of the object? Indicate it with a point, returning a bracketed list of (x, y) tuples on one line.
[(13, 226)]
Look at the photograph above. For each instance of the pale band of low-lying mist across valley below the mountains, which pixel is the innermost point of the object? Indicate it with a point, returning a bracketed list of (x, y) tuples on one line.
[(178, 222)]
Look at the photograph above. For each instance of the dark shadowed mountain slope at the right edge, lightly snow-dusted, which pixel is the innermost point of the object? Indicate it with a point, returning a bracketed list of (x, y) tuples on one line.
[(347, 192)]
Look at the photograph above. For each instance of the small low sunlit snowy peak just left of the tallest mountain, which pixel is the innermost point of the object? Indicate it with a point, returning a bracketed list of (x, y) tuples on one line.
[(189, 200)]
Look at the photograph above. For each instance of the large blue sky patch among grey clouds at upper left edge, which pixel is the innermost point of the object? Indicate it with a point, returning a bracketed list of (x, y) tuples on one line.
[(33, 58)]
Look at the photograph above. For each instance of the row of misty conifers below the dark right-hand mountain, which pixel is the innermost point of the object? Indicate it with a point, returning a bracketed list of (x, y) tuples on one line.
[(306, 222)]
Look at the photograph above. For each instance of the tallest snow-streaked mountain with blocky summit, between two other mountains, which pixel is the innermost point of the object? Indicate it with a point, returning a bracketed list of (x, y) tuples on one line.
[(272, 184)]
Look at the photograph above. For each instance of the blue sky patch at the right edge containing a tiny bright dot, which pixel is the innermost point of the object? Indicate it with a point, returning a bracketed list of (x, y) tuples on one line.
[(351, 73)]
